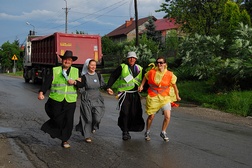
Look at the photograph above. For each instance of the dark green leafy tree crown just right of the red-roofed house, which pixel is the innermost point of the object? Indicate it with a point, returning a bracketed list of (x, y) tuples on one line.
[(196, 16)]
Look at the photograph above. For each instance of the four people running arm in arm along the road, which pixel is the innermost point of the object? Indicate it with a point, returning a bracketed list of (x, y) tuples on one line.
[(66, 81)]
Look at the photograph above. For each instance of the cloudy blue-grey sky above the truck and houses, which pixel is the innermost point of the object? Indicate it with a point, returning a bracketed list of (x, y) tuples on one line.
[(45, 17)]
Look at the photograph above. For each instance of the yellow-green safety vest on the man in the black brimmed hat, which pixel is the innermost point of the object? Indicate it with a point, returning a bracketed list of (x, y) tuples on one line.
[(60, 89)]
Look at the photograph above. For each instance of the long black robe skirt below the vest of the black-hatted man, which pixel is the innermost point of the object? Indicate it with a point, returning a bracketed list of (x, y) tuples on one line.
[(61, 114)]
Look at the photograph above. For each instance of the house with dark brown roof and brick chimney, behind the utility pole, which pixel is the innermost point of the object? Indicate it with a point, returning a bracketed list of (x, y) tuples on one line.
[(127, 30)]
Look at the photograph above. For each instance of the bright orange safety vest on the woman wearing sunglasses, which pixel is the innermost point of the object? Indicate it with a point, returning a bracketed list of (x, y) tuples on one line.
[(163, 87)]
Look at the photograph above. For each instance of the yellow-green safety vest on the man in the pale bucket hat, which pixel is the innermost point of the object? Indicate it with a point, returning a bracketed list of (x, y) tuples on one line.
[(123, 85)]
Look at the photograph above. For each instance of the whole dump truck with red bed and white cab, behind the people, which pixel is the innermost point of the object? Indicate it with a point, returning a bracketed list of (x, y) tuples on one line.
[(42, 53)]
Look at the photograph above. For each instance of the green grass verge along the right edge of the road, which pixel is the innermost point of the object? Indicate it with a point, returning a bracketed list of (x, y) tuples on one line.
[(236, 102)]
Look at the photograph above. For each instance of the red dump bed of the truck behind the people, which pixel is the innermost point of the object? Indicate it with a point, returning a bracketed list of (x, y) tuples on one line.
[(46, 49)]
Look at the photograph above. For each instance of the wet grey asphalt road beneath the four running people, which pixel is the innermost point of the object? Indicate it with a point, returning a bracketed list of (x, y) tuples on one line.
[(199, 137)]
